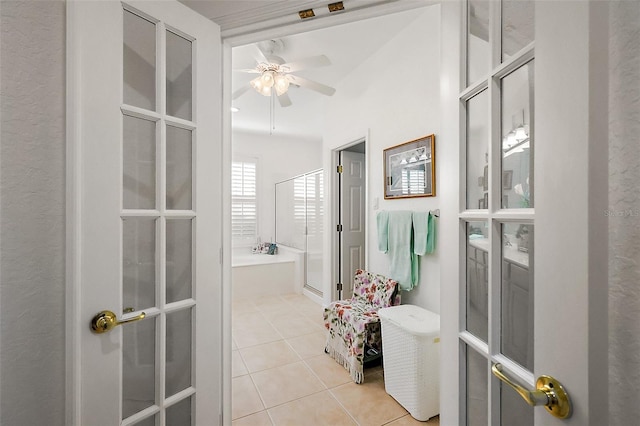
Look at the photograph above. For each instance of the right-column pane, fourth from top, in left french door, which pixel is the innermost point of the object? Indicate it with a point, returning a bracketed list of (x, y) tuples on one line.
[(178, 351)]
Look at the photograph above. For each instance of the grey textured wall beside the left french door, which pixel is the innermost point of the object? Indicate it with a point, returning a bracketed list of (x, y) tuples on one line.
[(32, 152)]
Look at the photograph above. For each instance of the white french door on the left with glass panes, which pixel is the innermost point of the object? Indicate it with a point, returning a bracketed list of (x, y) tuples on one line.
[(145, 156)]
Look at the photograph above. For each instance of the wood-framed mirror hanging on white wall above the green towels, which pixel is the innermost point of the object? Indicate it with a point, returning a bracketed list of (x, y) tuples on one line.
[(410, 169)]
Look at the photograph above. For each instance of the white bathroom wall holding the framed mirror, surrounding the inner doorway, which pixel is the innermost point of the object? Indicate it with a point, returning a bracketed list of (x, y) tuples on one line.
[(393, 97)]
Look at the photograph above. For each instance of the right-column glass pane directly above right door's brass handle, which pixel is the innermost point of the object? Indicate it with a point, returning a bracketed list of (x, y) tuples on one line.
[(517, 293)]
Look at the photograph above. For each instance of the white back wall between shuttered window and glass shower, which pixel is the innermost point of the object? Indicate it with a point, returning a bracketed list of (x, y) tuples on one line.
[(280, 157)]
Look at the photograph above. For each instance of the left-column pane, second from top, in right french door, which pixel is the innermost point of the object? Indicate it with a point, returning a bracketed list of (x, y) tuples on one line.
[(477, 151)]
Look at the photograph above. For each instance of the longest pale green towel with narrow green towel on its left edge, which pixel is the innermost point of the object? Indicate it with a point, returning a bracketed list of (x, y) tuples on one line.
[(398, 235)]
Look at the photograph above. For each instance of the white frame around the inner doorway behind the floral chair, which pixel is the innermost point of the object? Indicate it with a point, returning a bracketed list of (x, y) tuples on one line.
[(336, 212)]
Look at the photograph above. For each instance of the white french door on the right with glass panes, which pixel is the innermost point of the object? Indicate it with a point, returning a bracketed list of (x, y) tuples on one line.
[(526, 304)]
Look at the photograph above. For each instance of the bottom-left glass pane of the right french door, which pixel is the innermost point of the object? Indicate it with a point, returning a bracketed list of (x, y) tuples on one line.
[(477, 391)]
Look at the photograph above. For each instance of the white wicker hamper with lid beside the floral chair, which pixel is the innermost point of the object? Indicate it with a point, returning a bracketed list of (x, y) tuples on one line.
[(411, 358)]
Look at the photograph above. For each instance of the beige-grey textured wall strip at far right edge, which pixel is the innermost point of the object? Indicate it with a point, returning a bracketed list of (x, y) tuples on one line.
[(624, 205)]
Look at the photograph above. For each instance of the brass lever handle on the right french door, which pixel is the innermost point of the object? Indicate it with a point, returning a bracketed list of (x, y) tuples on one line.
[(549, 392)]
